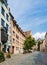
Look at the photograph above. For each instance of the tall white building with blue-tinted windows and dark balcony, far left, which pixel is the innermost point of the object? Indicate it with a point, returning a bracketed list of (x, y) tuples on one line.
[(4, 26)]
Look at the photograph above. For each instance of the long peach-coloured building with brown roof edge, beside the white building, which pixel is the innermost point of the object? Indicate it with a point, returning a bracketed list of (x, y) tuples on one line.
[(17, 38)]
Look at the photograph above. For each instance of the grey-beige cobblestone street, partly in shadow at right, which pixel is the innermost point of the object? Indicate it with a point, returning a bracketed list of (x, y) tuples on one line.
[(36, 58)]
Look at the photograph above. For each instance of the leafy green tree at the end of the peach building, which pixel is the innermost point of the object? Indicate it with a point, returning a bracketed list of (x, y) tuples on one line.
[(29, 42)]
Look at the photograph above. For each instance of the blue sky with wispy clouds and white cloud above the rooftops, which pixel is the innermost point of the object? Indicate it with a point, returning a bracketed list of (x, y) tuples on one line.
[(30, 15)]
